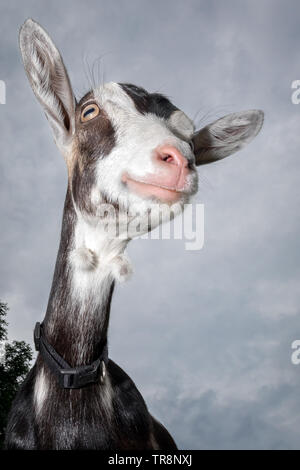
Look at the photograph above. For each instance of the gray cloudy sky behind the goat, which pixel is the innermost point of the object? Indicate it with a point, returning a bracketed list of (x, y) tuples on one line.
[(205, 335)]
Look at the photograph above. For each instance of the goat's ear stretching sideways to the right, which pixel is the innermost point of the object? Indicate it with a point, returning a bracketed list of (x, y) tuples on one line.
[(226, 135)]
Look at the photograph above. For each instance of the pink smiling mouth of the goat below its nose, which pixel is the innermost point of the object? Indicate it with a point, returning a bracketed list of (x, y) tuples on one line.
[(149, 190)]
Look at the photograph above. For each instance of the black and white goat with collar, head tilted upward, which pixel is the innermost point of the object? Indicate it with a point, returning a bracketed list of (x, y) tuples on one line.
[(123, 147)]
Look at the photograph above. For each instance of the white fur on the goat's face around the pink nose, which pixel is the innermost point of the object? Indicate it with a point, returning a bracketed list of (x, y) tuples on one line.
[(137, 137)]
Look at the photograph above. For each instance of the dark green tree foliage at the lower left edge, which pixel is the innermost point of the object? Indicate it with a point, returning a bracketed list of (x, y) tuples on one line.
[(15, 359)]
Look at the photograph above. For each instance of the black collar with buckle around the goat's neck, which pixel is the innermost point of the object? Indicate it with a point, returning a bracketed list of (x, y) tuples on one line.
[(67, 376)]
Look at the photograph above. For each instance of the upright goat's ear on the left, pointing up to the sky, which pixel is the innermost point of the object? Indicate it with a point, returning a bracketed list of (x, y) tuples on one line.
[(49, 80)]
